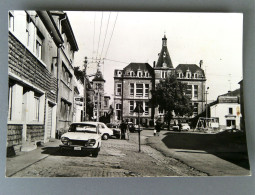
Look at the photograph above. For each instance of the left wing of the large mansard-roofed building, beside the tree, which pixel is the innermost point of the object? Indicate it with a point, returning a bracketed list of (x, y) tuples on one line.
[(132, 86)]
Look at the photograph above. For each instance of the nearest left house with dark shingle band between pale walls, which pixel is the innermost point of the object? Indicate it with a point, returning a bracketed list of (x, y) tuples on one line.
[(34, 42)]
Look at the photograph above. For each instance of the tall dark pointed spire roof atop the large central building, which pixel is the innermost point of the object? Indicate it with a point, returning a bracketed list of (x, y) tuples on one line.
[(164, 56)]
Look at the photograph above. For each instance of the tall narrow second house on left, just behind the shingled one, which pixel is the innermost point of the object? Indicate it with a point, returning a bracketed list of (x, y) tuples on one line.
[(64, 70)]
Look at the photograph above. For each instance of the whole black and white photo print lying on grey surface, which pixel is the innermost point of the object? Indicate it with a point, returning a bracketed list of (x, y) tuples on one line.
[(125, 94)]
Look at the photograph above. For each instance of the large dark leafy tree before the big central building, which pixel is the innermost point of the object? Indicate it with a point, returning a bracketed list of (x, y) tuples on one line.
[(169, 95)]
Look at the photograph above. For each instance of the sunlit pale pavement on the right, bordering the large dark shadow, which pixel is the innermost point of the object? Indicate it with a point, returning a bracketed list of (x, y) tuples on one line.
[(201, 160)]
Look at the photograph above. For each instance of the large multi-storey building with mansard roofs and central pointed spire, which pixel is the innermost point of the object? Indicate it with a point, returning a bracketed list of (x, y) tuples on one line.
[(132, 86)]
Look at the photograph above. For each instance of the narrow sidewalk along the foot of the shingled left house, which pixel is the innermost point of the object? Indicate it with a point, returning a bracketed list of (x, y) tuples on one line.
[(25, 159)]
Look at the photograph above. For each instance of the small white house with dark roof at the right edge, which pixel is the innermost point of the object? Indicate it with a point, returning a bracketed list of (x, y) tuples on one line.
[(227, 109)]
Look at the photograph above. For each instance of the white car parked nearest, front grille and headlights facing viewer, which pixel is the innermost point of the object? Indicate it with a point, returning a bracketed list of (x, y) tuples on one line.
[(82, 137)]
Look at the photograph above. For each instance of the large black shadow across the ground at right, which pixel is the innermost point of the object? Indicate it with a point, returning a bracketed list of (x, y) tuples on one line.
[(230, 147)]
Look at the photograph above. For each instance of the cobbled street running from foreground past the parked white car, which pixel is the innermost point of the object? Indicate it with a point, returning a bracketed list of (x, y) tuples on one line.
[(117, 158)]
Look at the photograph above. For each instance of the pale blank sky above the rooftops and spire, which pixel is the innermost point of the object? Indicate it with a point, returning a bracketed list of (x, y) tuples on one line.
[(119, 38)]
